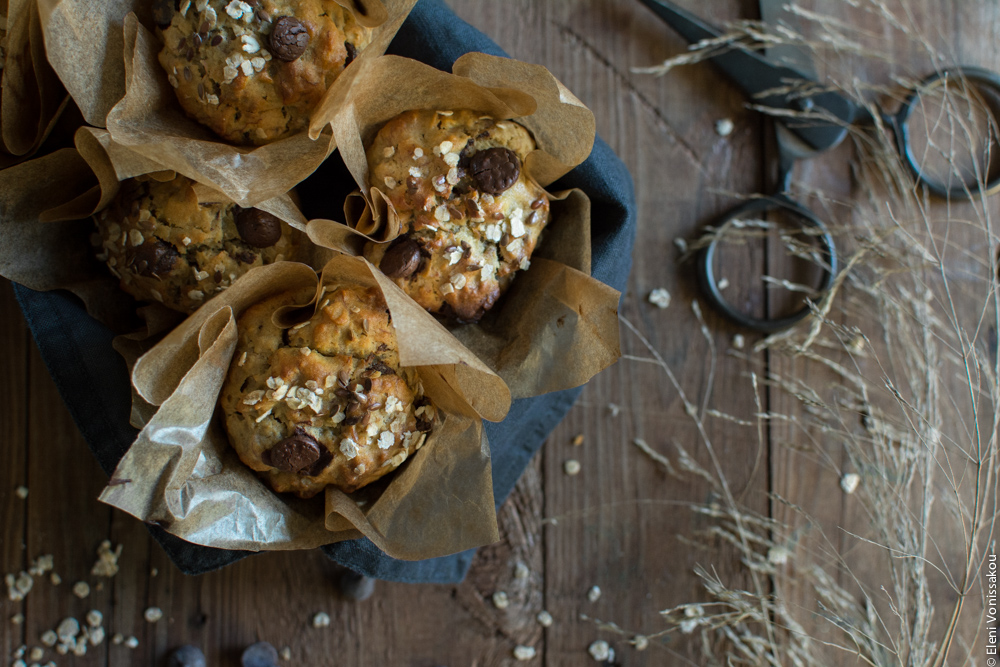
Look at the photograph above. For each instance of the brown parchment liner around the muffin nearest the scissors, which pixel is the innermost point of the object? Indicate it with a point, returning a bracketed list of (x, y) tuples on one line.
[(557, 326)]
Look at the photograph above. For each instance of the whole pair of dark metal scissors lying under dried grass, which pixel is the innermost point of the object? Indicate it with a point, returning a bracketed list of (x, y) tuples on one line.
[(791, 85)]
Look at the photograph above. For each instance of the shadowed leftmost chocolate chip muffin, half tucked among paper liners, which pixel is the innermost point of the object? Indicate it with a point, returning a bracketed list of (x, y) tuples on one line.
[(164, 245)]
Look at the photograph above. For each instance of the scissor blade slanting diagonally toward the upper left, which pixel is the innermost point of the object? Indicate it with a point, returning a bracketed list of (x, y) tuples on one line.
[(759, 79)]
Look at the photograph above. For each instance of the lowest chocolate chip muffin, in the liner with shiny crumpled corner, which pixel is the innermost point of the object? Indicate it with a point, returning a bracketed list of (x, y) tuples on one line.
[(326, 400)]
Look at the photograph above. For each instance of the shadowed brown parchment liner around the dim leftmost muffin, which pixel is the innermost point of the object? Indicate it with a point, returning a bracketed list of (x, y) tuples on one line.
[(46, 226)]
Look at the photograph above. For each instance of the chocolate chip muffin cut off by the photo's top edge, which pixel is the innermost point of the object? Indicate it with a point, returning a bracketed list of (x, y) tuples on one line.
[(254, 70)]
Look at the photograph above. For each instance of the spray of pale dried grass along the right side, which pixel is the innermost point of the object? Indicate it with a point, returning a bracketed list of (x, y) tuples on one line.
[(886, 400)]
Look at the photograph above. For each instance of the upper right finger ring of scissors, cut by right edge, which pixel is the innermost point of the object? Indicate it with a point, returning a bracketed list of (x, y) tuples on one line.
[(982, 79)]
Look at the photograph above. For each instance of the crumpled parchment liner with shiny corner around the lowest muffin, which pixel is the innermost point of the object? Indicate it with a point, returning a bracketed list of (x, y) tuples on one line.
[(182, 474)]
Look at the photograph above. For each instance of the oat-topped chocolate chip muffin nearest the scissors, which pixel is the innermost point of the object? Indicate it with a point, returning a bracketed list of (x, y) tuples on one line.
[(470, 217)]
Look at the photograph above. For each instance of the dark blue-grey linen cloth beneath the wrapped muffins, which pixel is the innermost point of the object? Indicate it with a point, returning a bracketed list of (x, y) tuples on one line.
[(94, 383)]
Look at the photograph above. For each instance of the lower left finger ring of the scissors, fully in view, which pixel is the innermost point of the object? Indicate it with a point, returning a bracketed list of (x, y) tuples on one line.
[(710, 286)]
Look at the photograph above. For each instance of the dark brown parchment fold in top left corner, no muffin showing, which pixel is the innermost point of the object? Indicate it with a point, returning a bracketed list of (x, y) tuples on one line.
[(32, 97)]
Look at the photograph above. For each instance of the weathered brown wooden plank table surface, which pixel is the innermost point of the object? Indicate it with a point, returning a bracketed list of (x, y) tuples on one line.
[(615, 525)]
